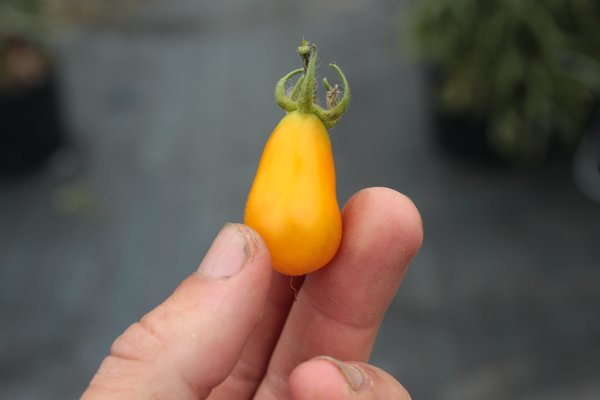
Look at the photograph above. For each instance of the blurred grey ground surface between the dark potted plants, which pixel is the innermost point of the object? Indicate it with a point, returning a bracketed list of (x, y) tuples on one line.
[(169, 110)]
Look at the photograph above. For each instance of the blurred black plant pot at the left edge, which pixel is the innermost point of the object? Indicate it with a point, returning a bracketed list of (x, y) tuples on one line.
[(31, 127)]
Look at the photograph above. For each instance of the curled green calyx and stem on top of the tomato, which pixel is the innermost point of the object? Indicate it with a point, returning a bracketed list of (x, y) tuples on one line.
[(302, 95)]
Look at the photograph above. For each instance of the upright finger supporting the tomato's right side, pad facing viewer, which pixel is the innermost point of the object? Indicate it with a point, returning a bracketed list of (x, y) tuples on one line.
[(340, 307)]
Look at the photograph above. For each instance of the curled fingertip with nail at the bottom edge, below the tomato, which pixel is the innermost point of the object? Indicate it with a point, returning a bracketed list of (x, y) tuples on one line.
[(328, 378)]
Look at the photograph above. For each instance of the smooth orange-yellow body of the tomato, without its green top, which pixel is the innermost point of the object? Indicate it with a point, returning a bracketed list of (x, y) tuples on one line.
[(293, 201)]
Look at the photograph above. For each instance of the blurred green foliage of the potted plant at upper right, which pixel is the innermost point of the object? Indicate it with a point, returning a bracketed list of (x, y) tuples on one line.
[(529, 68)]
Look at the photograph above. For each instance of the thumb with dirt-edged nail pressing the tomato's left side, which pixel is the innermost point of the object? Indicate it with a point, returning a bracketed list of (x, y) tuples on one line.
[(191, 342)]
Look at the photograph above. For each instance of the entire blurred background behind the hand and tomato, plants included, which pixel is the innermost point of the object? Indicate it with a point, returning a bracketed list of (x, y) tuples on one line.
[(130, 131)]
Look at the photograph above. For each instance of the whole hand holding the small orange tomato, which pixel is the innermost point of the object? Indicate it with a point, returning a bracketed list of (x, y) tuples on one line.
[(232, 330)]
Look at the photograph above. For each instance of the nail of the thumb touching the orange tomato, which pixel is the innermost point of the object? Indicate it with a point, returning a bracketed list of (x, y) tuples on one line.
[(227, 254)]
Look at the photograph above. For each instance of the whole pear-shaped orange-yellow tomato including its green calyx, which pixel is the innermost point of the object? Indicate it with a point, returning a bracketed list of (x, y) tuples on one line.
[(293, 203)]
